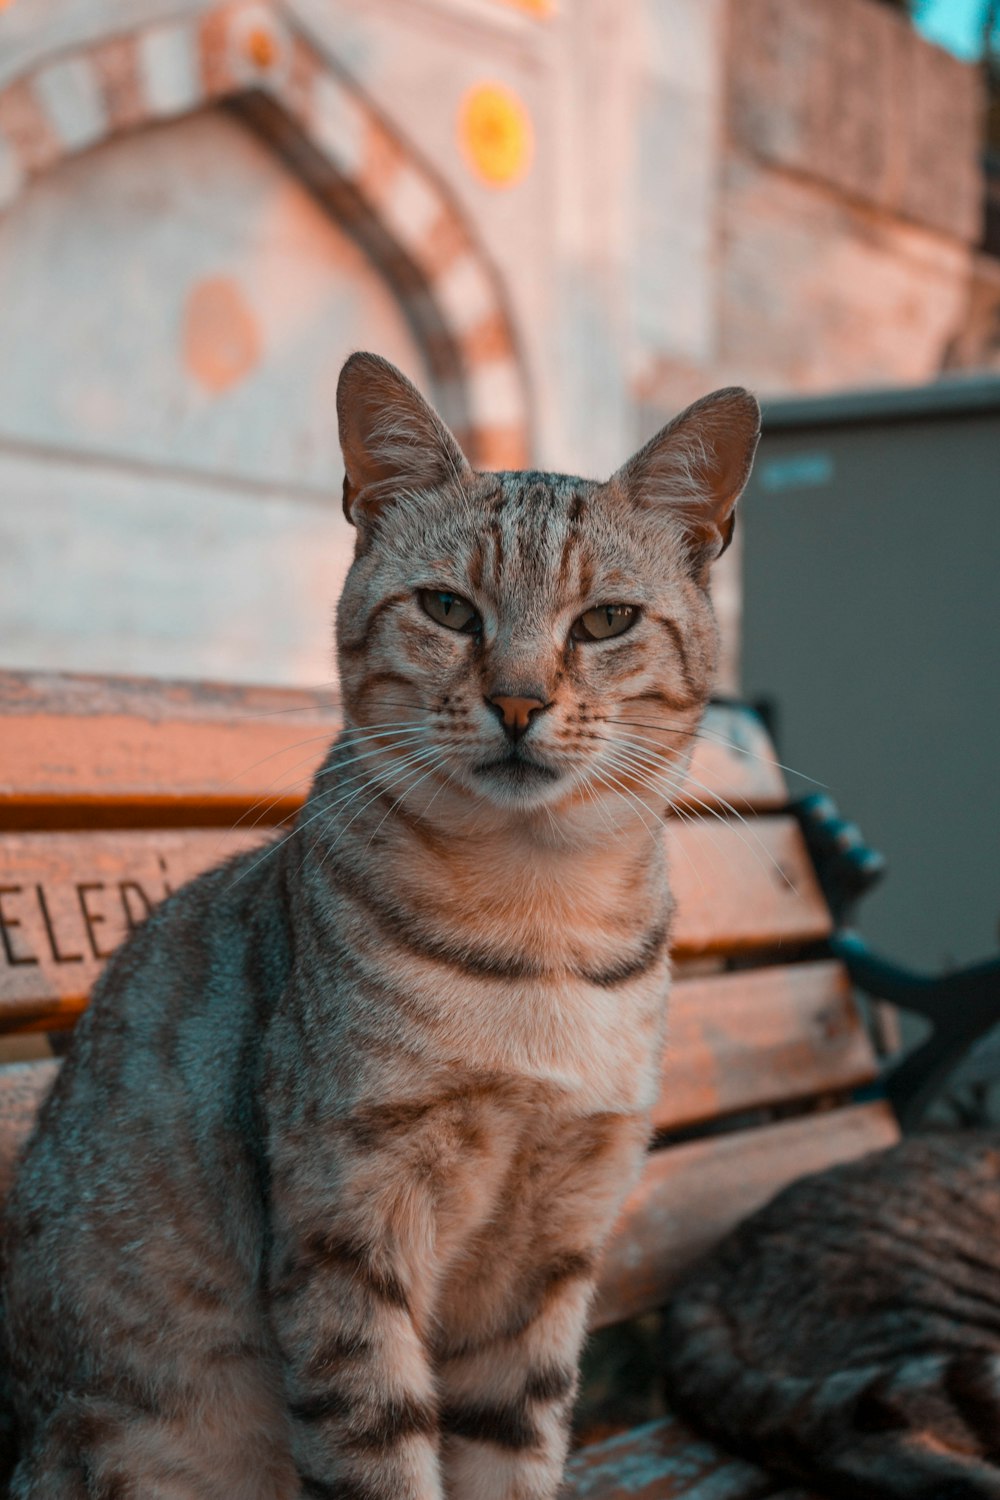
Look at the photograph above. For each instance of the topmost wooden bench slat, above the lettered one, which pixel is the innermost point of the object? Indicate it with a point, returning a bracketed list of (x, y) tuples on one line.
[(98, 752)]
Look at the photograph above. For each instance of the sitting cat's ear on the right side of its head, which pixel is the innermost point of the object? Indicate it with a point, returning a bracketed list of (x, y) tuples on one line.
[(696, 469)]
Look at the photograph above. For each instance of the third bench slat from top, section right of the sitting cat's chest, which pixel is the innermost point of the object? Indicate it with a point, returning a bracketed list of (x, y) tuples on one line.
[(737, 1042)]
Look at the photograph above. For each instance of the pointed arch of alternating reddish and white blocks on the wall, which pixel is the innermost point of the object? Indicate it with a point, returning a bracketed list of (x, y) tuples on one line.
[(254, 58)]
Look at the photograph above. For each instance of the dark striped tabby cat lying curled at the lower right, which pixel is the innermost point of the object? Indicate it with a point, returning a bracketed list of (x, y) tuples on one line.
[(849, 1334)]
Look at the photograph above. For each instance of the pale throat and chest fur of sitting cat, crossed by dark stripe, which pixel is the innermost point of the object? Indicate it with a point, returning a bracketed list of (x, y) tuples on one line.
[(567, 970)]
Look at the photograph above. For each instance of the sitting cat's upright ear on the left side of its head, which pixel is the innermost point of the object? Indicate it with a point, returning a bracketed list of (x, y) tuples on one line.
[(392, 439)]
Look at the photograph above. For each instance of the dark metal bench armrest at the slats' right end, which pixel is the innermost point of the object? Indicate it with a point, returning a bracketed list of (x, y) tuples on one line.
[(962, 1006)]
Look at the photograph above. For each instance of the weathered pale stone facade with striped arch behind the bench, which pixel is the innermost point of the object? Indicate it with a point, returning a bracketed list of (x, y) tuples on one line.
[(680, 194)]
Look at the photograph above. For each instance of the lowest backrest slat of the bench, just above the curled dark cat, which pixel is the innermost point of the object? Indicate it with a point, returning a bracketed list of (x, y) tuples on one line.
[(693, 1195)]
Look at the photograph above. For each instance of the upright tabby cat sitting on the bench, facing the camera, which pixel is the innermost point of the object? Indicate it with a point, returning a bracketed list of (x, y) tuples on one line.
[(317, 1202)]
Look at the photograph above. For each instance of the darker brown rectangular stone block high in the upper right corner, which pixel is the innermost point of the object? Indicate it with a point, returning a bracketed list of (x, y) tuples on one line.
[(848, 94)]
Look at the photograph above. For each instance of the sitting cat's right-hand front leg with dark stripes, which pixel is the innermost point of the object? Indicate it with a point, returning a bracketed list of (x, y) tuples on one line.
[(513, 1330)]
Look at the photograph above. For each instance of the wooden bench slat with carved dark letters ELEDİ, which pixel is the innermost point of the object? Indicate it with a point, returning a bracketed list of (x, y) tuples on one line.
[(68, 899)]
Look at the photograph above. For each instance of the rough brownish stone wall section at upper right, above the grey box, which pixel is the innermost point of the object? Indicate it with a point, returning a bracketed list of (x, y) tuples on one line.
[(849, 202)]
